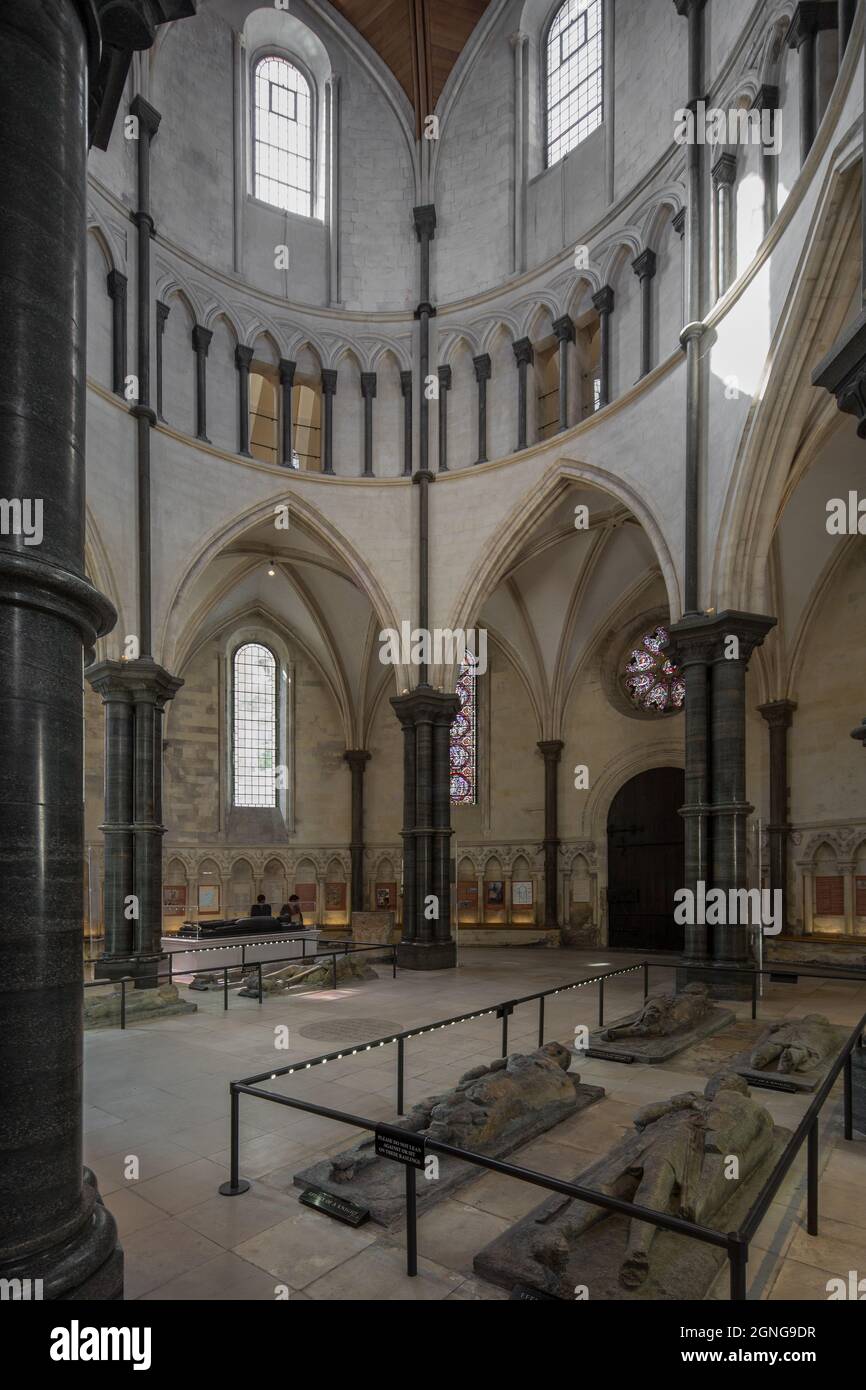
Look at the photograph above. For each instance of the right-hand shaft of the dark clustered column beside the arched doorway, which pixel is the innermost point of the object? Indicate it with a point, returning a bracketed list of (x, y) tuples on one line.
[(732, 943)]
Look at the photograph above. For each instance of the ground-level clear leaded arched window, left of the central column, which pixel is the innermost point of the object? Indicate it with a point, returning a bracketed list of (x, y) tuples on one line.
[(255, 726)]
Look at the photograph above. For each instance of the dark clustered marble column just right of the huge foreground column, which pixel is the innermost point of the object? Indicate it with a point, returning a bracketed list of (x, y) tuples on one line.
[(136, 696)]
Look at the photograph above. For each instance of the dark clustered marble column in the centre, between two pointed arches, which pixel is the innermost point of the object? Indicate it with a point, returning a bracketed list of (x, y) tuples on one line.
[(426, 717)]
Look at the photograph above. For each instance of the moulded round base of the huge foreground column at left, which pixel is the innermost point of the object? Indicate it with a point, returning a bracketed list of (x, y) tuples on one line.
[(87, 1268)]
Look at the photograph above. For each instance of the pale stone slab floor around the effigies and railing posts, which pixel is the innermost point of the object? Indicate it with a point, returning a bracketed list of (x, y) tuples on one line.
[(159, 1095)]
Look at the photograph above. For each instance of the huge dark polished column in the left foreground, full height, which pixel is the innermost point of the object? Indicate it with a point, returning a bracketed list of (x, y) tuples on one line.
[(52, 1224)]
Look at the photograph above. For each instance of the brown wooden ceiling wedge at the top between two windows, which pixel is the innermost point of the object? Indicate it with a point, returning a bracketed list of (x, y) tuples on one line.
[(419, 40)]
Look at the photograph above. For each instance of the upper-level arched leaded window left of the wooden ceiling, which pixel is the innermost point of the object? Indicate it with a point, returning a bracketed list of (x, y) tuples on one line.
[(283, 137)]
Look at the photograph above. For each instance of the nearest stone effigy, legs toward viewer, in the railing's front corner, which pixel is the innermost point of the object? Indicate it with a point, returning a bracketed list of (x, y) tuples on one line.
[(676, 1163)]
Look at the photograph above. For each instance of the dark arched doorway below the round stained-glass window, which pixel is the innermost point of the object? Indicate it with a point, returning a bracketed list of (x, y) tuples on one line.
[(646, 861)]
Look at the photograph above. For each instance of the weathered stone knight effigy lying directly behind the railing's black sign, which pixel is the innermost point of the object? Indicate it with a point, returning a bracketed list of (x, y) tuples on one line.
[(486, 1104)]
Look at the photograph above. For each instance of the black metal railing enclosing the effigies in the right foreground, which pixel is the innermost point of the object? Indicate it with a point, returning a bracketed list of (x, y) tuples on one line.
[(736, 1245)]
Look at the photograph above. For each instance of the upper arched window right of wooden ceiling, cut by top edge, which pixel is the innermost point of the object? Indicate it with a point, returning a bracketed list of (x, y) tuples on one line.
[(575, 76)]
